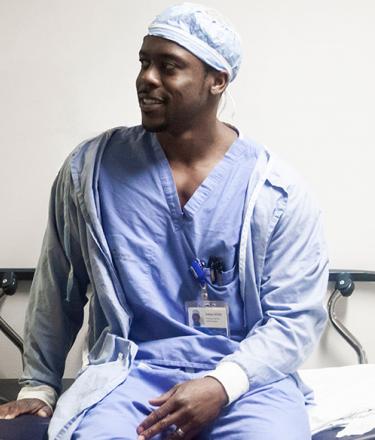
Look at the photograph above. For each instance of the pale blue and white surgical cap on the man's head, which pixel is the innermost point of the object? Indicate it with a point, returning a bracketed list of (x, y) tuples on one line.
[(203, 32)]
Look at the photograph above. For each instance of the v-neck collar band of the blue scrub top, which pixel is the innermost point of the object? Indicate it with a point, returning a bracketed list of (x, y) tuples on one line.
[(201, 194)]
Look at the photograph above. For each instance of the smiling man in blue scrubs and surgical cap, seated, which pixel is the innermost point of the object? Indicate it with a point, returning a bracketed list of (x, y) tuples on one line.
[(179, 215)]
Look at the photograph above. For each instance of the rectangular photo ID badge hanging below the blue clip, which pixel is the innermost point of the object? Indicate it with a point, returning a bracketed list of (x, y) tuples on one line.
[(210, 317)]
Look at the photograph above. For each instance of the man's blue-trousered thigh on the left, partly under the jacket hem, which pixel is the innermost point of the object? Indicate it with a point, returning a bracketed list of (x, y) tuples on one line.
[(120, 412)]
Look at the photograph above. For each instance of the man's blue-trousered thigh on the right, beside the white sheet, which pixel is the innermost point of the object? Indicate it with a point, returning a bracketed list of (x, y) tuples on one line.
[(274, 412)]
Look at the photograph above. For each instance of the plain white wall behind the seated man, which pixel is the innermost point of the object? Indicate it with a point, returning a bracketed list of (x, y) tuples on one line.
[(305, 89)]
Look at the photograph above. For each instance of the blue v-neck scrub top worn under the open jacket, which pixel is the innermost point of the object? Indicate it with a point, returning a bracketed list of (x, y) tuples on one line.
[(153, 242)]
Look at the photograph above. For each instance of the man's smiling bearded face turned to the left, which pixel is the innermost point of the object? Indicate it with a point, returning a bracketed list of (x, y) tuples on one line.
[(172, 86)]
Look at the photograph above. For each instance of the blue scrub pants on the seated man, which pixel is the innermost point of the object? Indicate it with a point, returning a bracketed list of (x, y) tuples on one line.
[(274, 412)]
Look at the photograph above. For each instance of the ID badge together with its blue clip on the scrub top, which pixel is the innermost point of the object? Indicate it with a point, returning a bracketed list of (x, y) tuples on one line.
[(208, 316)]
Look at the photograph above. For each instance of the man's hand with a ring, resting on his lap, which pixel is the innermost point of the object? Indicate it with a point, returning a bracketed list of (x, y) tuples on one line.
[(188, 406)]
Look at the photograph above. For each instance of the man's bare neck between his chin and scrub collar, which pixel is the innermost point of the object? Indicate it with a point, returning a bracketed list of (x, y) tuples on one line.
[(199, 144)]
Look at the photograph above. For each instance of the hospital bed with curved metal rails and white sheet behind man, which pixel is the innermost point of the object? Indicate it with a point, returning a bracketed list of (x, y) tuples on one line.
[(345, 396)]
